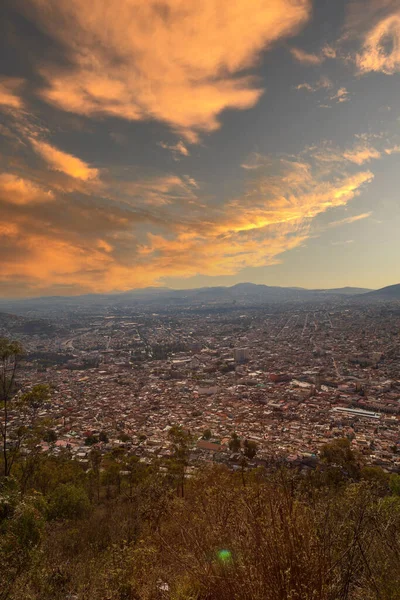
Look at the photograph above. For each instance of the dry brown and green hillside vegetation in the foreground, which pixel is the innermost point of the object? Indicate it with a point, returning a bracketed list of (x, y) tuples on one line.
[(123, 530)]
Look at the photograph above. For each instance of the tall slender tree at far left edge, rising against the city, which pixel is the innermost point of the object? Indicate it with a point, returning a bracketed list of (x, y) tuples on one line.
[(10, 354)]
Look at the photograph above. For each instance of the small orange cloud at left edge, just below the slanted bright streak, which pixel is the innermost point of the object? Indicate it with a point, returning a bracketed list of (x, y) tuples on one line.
[(16, 190)]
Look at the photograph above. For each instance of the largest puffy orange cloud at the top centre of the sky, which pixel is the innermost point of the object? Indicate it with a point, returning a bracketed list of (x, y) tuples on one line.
[(178, 62)]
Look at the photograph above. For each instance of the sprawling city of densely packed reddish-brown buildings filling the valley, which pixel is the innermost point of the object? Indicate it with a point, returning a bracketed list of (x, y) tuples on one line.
[(290, 378)]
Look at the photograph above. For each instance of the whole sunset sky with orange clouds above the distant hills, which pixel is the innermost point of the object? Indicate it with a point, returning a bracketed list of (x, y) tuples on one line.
[(185, 144)]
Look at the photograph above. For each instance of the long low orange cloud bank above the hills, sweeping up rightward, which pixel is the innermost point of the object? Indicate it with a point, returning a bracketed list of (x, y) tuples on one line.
[(121, 247)]
